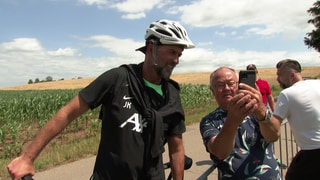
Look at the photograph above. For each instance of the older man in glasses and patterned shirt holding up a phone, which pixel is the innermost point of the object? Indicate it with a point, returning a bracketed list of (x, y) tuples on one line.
[(240, 132)]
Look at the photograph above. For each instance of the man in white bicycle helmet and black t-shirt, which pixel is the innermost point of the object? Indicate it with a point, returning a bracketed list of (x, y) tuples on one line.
[(140, 111)]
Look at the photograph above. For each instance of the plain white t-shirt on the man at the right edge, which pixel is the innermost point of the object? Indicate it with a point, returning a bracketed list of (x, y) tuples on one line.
[(300, 104)]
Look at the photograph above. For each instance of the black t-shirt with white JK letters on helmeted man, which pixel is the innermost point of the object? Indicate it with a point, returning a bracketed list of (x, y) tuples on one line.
[(121, 148)]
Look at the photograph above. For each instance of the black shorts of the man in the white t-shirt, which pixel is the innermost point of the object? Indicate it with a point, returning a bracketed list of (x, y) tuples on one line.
[(305, 165)]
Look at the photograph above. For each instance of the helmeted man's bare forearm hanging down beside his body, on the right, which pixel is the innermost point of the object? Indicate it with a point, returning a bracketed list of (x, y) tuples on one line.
[(176, 155)]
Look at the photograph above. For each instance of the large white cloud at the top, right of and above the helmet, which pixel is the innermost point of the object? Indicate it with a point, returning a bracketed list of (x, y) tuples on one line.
[(264, 17)]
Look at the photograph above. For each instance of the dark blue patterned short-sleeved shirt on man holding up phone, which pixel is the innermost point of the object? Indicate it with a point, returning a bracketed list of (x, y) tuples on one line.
[(251, 158)]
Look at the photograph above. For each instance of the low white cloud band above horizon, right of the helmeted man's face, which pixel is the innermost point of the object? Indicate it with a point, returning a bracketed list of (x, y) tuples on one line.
[(206, 60)]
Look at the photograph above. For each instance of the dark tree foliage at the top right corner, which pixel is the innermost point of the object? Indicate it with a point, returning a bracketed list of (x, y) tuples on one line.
[(313, 38)]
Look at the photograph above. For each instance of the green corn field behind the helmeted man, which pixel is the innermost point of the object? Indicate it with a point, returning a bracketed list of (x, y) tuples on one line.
[(24, 112)]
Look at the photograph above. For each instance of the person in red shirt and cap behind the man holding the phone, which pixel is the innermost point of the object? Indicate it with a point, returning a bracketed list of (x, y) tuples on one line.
[(264, 88)]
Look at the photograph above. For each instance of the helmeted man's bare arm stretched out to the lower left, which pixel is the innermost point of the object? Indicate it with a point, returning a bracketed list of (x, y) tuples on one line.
[(23, 164)]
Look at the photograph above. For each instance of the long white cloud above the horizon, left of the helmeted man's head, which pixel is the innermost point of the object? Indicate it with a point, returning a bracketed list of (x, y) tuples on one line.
[(36, 61)]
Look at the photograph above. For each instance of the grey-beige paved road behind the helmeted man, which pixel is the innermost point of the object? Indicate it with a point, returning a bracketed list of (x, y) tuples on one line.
[(82, 169)]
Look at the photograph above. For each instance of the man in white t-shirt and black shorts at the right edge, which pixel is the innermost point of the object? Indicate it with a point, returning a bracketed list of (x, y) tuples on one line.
[(299, 103)]
